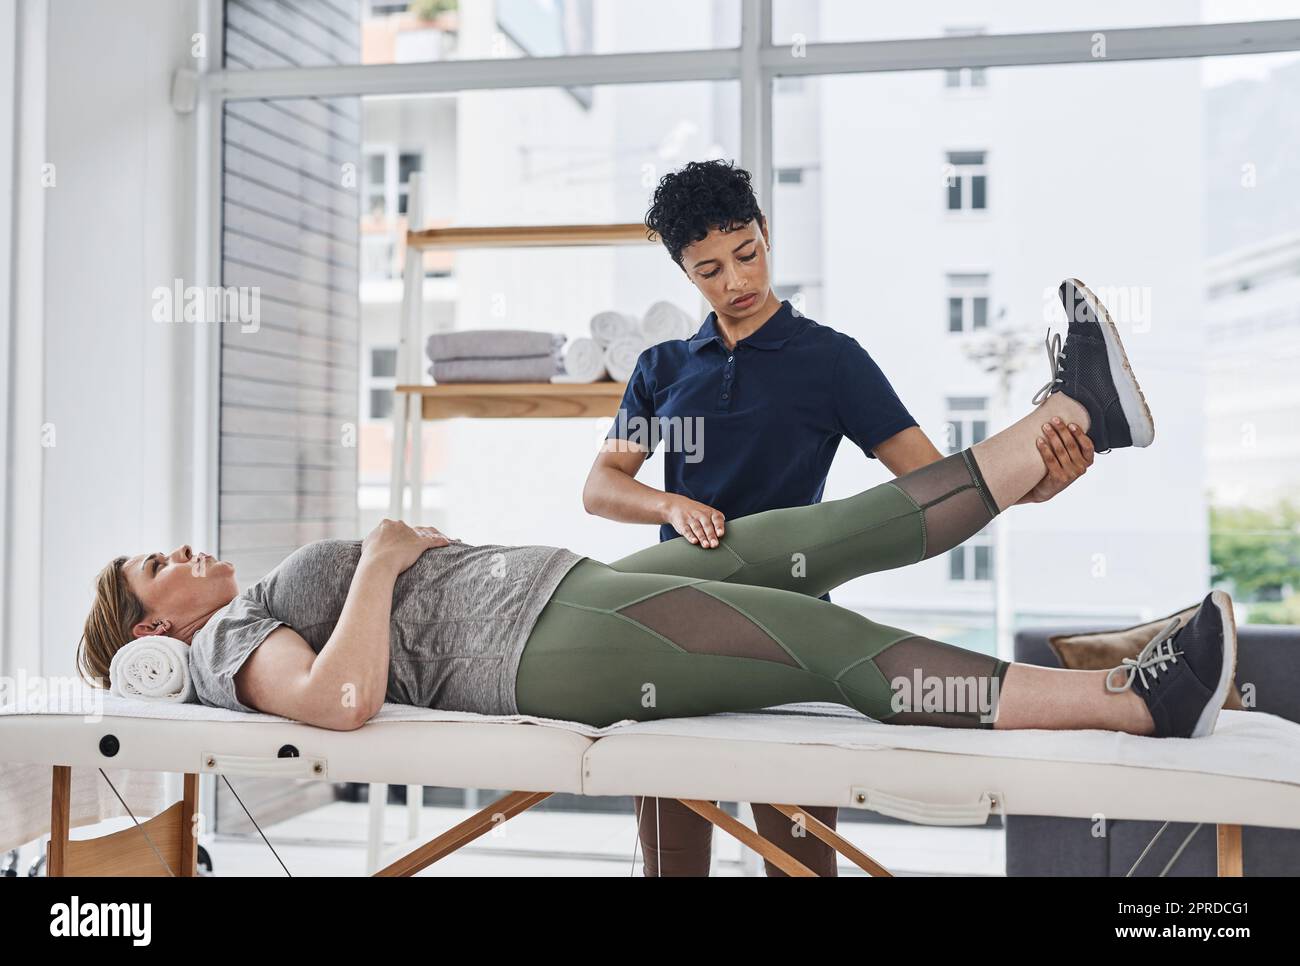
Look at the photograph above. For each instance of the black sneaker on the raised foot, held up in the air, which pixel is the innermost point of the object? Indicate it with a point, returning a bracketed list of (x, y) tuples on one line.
[(1094, 371)]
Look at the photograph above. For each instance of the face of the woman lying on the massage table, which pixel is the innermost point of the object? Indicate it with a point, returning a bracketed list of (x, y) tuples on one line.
[(180, 588)]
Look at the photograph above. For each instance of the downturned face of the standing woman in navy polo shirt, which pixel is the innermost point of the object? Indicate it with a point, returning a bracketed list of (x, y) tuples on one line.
[(729, 266)]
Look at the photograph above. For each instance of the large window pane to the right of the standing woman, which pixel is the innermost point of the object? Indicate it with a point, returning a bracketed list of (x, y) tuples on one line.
[(1197, 246)]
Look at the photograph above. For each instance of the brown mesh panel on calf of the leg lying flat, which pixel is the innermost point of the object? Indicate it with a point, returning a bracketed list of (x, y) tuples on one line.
[(944, 686)]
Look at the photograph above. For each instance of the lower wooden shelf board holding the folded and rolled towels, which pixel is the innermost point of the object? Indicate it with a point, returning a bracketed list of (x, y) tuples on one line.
[(518, 400)]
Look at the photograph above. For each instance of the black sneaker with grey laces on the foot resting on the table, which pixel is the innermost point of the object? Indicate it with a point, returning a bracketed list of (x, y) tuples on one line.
[(1185, 674)]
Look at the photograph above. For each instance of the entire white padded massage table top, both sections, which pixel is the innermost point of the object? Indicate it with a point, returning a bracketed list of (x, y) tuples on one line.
[(1247, 773)]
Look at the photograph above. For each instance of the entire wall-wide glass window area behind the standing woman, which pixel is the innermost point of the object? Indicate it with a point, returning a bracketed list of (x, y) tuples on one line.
[(896, 198)]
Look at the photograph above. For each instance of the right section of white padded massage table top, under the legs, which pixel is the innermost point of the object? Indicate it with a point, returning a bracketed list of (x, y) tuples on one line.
[(1247, 772)]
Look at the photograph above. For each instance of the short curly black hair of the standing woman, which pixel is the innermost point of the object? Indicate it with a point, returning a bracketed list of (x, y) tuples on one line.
[(703, 196)]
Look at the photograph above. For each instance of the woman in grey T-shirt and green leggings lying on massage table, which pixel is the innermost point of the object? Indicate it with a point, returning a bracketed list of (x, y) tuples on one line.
[(406, 616)]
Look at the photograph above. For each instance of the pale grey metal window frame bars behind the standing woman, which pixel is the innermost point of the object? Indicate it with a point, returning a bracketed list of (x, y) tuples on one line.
[(756, 63)]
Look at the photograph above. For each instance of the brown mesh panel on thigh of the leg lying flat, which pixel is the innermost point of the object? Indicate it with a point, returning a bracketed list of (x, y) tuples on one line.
[(704, 625)]
